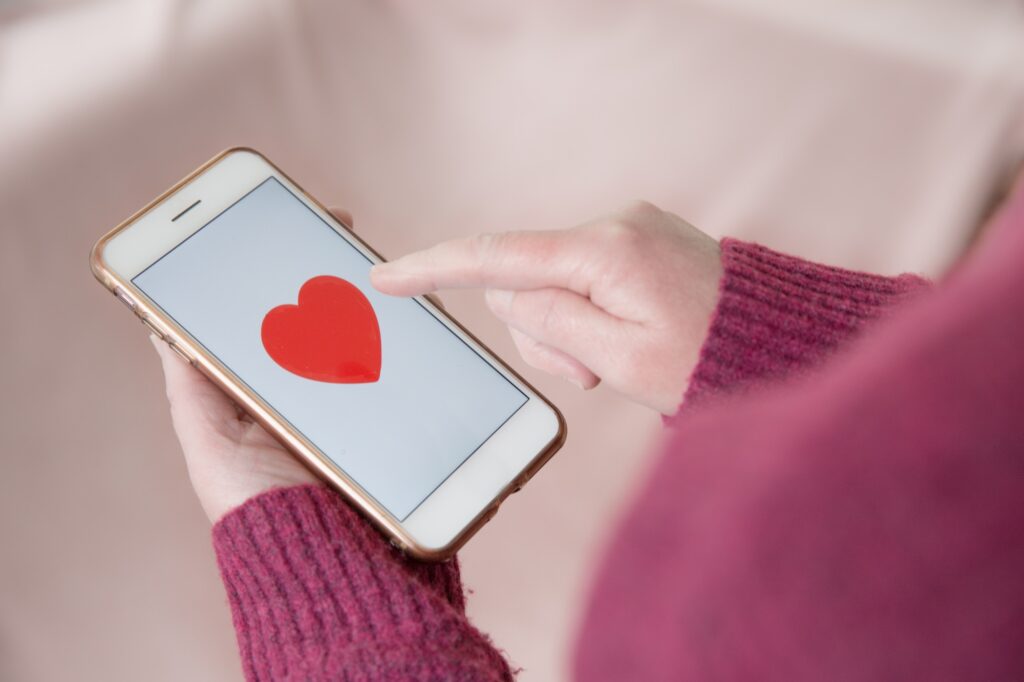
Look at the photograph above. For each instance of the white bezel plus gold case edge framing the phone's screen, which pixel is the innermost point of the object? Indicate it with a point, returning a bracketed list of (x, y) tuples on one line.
[(471, 496)]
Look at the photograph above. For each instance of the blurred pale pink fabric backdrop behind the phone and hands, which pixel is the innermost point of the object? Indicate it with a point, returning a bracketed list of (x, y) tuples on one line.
[(867, 134)]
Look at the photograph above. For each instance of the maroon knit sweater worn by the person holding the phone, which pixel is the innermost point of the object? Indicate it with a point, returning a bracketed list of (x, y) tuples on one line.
[(862, 521)]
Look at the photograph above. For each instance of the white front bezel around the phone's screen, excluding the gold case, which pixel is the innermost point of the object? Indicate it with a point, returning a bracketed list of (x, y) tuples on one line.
[(486, 477)]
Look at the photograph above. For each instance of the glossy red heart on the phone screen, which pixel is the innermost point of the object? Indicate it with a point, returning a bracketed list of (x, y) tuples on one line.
[(332, 335)]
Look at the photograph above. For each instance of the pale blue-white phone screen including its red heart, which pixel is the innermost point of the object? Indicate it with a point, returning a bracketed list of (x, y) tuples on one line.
[(382, 388)]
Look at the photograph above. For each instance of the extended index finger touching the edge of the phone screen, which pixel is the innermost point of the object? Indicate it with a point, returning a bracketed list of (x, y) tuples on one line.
[(509, 261)]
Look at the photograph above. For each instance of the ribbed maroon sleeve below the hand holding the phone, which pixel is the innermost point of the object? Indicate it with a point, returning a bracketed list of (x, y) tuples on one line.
[(317, 593)]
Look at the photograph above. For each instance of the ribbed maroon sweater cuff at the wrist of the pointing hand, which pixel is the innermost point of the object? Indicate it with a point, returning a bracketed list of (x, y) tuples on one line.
[(779, 315)]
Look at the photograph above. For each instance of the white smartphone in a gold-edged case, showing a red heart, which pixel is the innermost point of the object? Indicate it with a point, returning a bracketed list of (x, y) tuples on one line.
[(390, 400)]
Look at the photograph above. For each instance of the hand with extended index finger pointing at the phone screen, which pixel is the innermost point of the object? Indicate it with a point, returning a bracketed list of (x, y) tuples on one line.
[(626, 300)]
